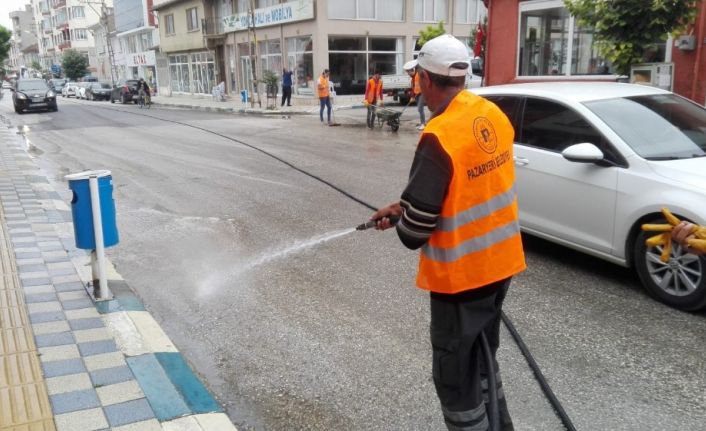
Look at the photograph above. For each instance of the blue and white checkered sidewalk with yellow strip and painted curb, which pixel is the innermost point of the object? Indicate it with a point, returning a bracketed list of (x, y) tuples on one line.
[(87, 365)]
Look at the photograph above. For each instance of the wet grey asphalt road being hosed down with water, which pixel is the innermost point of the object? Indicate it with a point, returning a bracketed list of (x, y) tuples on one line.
[(297, 324)]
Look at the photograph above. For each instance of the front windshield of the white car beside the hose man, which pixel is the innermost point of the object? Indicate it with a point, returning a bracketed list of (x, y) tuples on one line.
[(657, 127)]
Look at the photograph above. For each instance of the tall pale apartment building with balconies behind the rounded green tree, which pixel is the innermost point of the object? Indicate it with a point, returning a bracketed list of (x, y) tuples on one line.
[(64, 24)]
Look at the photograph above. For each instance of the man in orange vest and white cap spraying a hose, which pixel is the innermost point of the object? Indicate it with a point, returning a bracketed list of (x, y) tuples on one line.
[(460, 208)]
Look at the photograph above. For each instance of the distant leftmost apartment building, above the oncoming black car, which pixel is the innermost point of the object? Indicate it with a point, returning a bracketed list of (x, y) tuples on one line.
[(23, 45)]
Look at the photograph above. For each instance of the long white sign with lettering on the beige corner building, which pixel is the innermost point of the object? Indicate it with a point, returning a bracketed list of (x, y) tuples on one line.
[(274, 15)]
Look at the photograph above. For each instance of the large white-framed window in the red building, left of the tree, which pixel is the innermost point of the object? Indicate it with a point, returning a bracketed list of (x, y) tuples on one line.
[(552, 43)]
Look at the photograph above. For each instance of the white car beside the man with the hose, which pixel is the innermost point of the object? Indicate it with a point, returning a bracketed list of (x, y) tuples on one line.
[(595, 161)]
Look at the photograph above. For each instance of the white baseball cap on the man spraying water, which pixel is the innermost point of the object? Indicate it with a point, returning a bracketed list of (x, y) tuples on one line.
[(444, 55)]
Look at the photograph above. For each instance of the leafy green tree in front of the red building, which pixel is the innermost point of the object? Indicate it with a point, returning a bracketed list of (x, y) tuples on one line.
[(626, 29)]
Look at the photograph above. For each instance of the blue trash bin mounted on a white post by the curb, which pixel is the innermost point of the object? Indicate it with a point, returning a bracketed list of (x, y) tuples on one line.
[(82, 213)]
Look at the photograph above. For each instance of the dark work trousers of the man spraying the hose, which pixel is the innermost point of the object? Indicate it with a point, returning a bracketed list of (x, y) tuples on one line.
[(459, 369)]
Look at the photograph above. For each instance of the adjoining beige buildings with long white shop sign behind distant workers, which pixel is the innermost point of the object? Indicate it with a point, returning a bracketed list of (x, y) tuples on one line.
[(212, 41)]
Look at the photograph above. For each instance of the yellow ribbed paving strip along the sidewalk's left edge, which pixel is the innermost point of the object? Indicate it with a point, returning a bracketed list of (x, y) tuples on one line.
[(24, 402)]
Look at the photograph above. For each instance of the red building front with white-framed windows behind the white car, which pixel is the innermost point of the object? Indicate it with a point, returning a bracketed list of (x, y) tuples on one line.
[(537, 40)]
